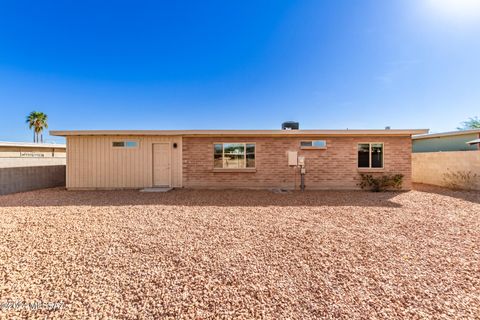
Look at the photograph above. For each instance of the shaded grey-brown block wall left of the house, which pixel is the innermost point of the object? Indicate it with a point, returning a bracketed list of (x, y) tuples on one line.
[(18, 179)]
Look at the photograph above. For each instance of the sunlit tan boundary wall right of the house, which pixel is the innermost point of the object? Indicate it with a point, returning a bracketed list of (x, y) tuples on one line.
[(459, 169)]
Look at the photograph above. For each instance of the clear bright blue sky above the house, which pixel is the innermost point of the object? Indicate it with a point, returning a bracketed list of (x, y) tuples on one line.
[(329, 64)]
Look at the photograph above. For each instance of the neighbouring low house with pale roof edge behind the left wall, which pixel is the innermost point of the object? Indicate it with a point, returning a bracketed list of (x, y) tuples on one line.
[(25, 154)]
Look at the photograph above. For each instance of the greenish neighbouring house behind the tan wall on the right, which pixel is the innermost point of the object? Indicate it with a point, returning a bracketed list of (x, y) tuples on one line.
[(447, 141)]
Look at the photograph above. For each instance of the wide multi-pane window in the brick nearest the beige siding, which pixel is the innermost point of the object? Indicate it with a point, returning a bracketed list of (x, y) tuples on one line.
[(234, 155)]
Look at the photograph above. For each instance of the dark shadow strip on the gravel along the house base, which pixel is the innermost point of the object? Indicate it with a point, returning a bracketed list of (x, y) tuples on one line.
[(204, 197)]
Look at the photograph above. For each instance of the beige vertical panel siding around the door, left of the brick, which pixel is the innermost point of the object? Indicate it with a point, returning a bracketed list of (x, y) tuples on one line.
[(92, 162)]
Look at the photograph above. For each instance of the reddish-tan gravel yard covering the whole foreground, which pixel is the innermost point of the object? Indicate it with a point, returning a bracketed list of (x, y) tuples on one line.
[(241, 254)]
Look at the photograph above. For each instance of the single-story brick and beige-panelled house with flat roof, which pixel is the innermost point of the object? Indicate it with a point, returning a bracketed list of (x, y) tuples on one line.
[(333, 159)]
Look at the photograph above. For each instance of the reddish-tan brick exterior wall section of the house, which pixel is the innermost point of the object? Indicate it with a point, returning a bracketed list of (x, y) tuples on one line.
[(332, 168)]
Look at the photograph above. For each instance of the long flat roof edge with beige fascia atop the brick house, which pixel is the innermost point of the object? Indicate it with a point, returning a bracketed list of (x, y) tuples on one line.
[(208, 133)]
